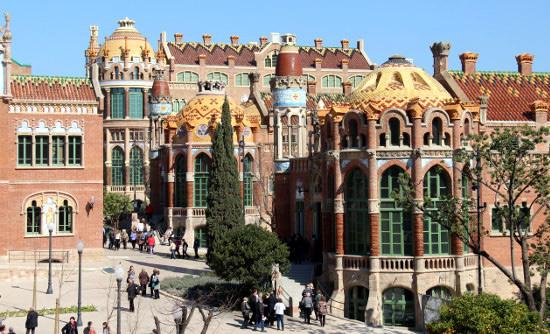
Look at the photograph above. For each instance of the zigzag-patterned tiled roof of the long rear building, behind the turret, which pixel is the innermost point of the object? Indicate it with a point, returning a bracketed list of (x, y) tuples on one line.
[(216, 54)]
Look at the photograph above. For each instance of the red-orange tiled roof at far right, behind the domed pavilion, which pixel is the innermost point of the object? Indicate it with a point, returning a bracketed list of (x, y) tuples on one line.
[(510, 93)]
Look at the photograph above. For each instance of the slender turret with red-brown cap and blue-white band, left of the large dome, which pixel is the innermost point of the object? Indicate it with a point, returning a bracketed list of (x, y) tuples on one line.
[(289, 105)]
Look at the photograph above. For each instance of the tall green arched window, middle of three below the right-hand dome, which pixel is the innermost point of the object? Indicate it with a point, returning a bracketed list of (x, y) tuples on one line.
[(395, 221)]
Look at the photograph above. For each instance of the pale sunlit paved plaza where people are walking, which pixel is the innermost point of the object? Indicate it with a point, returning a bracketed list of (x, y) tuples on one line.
[(99, 289)]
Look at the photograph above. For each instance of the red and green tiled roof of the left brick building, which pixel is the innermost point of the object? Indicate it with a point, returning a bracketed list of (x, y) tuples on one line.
[(32, 87)]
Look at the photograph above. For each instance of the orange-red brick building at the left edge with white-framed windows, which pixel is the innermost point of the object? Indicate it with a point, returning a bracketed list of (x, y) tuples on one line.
[(51, 171)]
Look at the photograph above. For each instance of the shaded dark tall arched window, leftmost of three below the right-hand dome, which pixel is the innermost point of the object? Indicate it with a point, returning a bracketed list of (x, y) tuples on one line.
[(357, 229)]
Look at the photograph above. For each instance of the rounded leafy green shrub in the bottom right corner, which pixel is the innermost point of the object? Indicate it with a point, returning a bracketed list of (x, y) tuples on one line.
[(485, 314)]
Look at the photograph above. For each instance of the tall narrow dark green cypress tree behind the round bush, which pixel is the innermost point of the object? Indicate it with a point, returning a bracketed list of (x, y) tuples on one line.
[(224, 205)]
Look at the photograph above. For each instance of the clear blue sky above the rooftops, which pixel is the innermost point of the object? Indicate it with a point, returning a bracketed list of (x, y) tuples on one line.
[(52, 35)]
